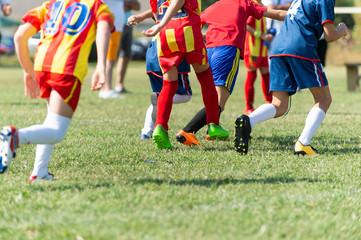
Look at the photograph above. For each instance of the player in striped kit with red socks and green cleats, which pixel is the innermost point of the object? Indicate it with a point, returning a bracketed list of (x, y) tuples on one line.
[(180, 37)]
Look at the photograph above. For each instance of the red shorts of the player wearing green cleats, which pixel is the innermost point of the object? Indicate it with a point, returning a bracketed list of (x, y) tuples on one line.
[(197, 56)]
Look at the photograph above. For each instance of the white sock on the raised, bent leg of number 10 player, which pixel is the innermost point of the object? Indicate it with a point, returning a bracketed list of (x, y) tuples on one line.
[(51, 131)]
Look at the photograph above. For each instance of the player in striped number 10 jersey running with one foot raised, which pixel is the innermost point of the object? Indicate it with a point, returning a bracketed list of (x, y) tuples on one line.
[(69, 28)]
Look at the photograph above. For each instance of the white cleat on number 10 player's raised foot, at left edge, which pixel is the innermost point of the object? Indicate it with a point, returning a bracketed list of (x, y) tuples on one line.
[(8, 144)]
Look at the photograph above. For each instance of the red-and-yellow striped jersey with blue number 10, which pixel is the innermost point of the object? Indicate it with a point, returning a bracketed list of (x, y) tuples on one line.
[(68, 32)]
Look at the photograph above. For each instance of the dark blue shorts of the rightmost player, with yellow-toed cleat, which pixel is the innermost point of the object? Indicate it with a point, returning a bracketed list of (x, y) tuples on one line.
[(289, 73)]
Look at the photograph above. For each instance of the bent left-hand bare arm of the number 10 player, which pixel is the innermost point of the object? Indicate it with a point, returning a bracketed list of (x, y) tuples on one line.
[(21, 37)]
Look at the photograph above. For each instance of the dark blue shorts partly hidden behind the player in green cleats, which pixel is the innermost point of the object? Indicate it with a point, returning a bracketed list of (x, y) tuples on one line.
[(156, 81)]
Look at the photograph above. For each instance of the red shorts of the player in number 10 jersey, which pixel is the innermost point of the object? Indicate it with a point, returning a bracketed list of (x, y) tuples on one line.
[(68, 86)]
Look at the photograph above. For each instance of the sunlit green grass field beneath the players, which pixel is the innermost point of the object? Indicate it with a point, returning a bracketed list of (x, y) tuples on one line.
[(108, 188)]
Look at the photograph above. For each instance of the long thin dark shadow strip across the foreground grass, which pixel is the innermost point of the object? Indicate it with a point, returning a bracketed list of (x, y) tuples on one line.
[(224, 181)]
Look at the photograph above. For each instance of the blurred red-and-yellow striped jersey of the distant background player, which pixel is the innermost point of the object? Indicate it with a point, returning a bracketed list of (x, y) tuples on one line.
[(254, 46)]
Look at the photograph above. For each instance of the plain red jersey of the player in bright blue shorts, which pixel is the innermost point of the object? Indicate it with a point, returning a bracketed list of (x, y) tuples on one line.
[(227, 21)]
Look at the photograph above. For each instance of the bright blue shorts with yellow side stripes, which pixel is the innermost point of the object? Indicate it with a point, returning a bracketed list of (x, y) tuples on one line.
[(224, 62)]
